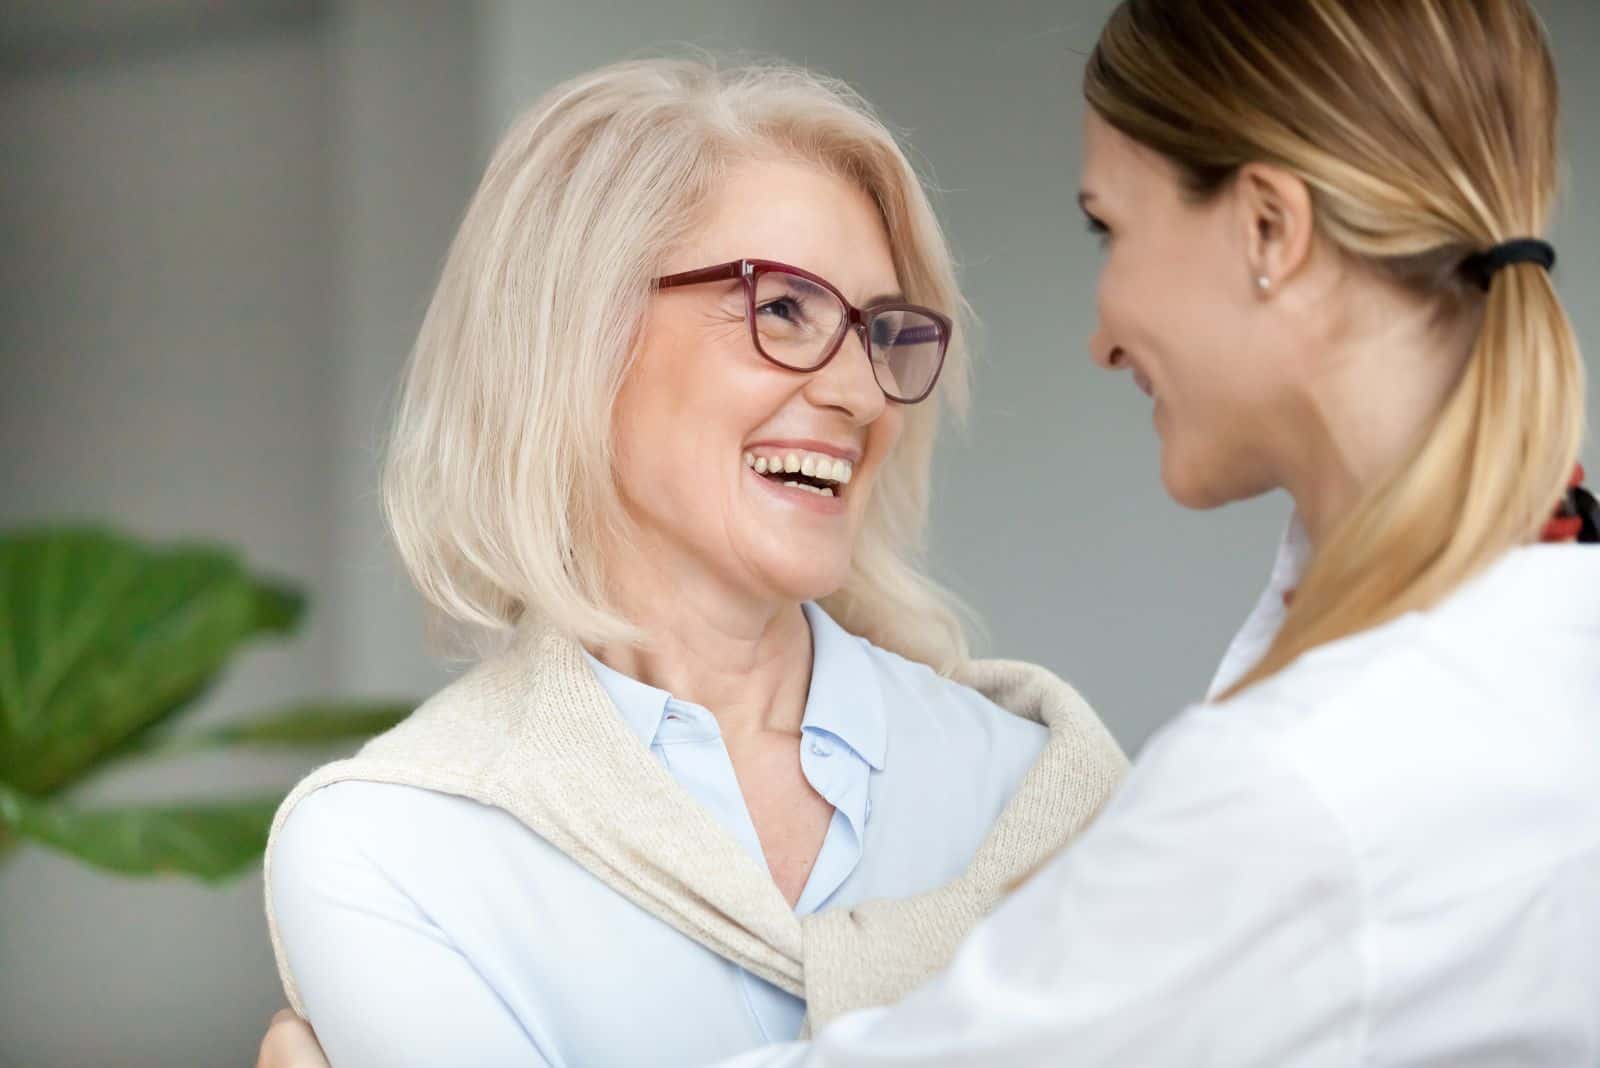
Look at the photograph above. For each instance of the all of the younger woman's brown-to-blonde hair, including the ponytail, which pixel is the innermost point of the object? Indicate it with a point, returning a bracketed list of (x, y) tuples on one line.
[(1426, 133)]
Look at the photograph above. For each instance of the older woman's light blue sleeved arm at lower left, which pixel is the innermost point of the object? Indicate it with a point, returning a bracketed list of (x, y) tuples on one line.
[(382, 984)]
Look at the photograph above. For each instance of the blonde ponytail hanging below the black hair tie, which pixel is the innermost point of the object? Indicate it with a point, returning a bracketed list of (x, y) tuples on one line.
[(1484, 480)]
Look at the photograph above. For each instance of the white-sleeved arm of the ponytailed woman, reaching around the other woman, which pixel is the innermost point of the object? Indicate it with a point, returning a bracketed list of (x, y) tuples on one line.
[(1210, 917)]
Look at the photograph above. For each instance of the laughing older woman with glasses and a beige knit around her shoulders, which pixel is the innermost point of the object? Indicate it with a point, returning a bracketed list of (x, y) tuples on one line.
[(665, 445)]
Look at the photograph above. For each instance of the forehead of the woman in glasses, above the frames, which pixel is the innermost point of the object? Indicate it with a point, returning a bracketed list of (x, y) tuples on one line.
[(796, 213)]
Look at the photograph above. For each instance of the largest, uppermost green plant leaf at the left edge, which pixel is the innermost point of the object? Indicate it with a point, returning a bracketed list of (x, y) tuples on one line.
[(103, 637)]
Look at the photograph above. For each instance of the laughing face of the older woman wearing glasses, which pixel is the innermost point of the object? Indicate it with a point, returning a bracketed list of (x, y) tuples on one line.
[(702, 412)]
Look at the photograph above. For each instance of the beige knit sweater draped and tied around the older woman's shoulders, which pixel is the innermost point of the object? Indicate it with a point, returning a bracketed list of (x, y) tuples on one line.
[(530, 731)]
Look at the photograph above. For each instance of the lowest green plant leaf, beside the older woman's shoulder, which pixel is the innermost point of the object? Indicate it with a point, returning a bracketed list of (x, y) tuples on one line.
[(209, 842)]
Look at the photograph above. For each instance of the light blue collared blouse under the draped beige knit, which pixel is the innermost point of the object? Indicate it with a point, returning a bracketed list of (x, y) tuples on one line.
[(430, 930)]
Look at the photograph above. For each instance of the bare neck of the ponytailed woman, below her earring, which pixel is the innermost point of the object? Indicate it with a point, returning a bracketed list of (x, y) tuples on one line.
[(1370, 408)]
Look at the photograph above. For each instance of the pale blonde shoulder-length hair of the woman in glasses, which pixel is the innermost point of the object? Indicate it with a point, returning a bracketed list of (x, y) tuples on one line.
[(498, 484)]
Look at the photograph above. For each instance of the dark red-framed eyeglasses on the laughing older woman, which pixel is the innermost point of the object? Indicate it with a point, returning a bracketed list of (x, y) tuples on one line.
[(799, 322)]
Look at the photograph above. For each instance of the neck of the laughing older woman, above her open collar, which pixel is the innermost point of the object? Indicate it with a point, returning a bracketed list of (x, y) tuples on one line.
[(748, 661)]
